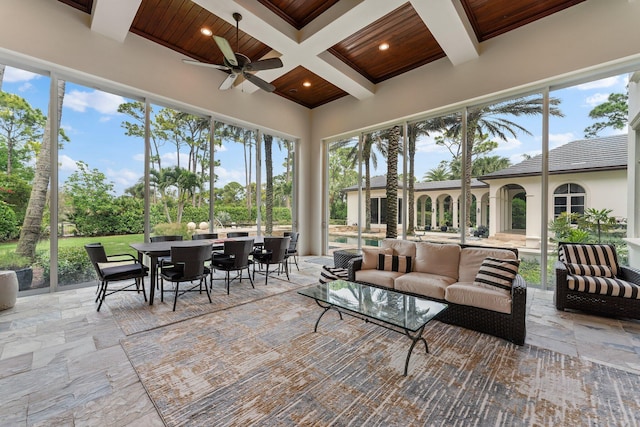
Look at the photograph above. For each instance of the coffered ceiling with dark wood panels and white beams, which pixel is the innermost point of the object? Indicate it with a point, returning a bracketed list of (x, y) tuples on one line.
[(331, 45)]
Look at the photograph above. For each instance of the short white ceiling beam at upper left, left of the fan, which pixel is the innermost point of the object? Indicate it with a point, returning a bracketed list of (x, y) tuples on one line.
[(113, 18)]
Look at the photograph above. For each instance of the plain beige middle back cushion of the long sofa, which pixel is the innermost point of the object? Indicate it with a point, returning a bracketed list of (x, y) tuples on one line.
[(439, 259)]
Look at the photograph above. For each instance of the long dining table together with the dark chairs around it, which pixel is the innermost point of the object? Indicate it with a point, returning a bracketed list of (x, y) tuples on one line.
[(173, 259)]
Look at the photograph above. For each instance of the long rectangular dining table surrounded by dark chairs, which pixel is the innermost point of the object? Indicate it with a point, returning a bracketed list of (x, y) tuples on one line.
[(155, 250)]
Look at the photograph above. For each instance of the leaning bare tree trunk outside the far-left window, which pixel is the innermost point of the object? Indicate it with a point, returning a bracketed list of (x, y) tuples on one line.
[(30, 232)]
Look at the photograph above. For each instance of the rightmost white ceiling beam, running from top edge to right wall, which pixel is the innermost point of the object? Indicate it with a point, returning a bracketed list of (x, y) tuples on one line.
[(450, 26)]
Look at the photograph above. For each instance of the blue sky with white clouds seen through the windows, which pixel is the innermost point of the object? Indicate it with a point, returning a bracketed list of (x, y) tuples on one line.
[(91, 121)]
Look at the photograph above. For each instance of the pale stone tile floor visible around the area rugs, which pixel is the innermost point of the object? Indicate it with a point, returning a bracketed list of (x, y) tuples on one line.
[(61, 362)]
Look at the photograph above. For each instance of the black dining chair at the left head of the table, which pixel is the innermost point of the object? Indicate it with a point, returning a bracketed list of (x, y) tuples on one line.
[(115, 268)]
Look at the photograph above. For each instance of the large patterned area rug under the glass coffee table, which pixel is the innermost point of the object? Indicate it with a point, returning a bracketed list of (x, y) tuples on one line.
[(262, 364)]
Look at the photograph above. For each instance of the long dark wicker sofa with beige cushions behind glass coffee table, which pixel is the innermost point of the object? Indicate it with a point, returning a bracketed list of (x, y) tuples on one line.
[(448, 273)]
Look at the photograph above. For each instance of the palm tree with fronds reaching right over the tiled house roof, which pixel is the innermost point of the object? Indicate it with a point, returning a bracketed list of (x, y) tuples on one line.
[(491, 120)]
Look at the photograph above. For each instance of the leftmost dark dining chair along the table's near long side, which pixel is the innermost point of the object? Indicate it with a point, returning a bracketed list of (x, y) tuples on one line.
[(186, 265)]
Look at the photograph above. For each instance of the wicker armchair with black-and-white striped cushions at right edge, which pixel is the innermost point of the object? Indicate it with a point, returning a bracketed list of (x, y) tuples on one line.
[(589, 278)]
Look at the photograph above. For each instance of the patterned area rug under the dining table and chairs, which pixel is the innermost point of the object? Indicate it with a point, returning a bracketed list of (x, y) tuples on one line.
[(134, 315)]
